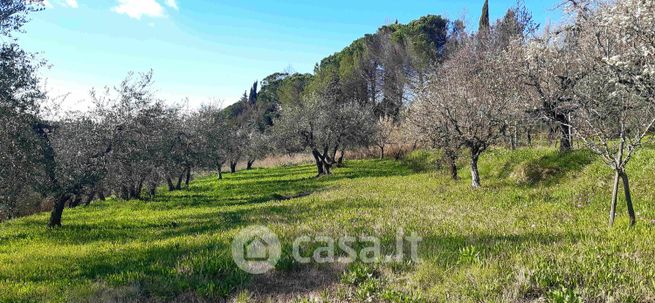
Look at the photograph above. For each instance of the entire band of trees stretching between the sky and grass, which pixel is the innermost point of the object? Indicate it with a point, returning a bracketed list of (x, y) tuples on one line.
[(429, 83)]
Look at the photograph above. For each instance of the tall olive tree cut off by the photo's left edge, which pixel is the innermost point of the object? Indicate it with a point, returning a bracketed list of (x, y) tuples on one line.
[(21, 96)]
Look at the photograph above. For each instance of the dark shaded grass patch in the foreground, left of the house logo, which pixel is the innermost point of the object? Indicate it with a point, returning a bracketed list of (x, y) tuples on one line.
[(167, 271)]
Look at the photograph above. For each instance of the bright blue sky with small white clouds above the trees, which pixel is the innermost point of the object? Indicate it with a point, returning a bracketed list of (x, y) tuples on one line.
[(211, 51)]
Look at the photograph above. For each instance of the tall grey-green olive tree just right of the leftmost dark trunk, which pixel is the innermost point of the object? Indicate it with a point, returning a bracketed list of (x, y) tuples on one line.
[(136, 124)]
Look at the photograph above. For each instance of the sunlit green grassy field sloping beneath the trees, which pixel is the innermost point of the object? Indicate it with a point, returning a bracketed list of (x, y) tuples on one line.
[(537, 231)]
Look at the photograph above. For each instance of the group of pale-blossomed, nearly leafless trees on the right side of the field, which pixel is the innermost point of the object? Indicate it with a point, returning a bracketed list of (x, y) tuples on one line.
[(592, 78)]
